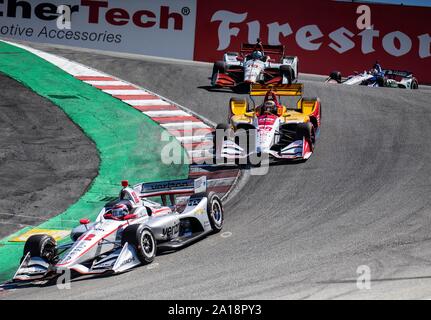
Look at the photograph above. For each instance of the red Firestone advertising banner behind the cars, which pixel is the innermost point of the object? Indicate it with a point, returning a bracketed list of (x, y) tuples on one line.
[(325, 35)]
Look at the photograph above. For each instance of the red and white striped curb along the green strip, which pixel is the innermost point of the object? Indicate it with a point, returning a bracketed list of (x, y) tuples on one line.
[(190, 129)]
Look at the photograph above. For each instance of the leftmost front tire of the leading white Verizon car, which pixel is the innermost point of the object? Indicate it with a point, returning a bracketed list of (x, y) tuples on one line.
[(41, 246)]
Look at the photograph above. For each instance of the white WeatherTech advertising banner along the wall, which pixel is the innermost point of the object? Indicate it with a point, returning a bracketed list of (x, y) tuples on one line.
[(164, 28)]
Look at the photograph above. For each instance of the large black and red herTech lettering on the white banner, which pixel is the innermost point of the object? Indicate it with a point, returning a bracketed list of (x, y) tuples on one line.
[(98, 11)]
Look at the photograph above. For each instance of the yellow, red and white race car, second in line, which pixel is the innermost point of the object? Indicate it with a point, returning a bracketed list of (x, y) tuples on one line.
[(283, 130)]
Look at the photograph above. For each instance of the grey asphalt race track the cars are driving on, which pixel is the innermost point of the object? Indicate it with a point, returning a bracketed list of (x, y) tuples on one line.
[(302, 230)]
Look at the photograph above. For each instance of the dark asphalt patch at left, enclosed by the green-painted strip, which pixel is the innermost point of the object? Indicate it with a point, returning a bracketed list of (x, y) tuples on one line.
[(46, 162)]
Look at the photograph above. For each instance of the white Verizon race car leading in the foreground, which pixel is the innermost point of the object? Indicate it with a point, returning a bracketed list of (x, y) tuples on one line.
[(115, 244)]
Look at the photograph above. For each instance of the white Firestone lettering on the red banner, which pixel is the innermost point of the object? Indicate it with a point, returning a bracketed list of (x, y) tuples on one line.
[(311, 38)]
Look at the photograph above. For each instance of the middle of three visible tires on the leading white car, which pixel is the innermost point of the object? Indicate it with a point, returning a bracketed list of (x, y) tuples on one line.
[(142, 238)]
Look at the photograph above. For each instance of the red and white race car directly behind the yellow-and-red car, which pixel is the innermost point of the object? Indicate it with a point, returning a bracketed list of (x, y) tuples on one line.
[(264, 64)]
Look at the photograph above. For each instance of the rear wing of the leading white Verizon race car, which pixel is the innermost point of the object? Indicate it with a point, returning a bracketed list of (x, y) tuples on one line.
[(173, 187)]
